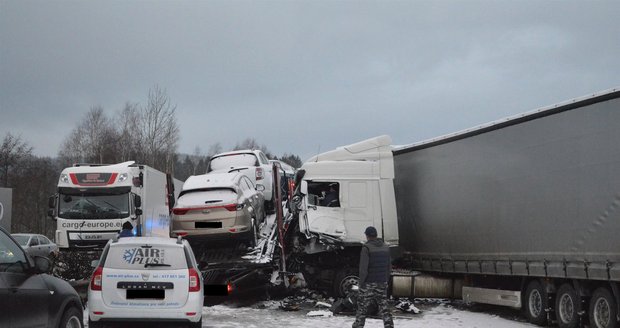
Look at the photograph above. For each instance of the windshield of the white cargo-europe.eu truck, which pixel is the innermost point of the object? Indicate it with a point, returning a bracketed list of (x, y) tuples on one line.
[(90, 206)]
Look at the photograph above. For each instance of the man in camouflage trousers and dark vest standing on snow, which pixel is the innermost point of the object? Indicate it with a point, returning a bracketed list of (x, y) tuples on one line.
[(375, 269)]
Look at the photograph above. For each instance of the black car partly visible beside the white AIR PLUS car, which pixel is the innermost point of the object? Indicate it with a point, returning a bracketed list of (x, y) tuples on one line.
[(31, 298)]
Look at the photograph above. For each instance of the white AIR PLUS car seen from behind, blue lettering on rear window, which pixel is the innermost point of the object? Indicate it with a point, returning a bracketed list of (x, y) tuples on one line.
[(146, 279)]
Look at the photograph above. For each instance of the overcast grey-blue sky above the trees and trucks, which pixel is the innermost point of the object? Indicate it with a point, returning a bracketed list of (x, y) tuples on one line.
[(300, 76)]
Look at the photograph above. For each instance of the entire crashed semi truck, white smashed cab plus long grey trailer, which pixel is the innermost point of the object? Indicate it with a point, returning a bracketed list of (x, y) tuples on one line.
[(522, 212)]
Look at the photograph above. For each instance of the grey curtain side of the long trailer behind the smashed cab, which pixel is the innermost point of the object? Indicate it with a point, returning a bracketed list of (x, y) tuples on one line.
[(537, 195)]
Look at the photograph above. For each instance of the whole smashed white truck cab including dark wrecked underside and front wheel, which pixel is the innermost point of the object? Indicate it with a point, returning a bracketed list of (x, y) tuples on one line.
[(341, 192)]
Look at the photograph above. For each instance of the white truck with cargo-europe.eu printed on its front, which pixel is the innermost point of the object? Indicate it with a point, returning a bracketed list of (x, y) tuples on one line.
[(93, 201)]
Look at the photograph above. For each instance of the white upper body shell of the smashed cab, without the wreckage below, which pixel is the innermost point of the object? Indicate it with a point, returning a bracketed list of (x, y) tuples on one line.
[(362, 177)]
